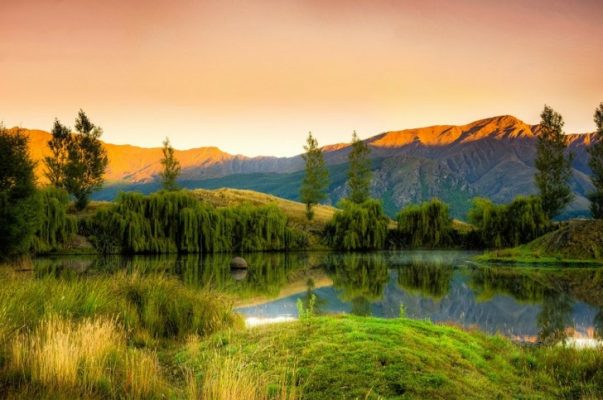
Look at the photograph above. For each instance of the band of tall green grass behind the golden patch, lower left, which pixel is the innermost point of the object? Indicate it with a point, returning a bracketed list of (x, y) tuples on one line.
[(152, 305)]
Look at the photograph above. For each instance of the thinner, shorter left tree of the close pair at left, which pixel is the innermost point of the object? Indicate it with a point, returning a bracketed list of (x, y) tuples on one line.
[(59, 149)]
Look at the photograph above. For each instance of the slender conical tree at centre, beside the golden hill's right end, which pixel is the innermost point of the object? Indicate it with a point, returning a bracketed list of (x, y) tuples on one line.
[(316, 180)]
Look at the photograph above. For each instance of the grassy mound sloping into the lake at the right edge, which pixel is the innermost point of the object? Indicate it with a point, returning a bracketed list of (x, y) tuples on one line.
[(574, 241)]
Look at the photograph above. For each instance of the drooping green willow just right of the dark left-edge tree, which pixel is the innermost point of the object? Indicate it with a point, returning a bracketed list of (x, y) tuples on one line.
[(56, 227)]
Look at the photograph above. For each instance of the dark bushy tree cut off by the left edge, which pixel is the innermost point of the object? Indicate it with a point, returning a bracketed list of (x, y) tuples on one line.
[(19, 203)]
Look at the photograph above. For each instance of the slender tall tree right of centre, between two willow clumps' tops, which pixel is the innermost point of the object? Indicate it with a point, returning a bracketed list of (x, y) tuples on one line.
[(359, 173)]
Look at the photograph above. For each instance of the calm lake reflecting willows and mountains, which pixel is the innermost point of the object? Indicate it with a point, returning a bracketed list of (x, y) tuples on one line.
[(544, 304)]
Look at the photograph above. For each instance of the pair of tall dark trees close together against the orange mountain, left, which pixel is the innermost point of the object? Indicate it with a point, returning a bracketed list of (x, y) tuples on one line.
[(78, 160)]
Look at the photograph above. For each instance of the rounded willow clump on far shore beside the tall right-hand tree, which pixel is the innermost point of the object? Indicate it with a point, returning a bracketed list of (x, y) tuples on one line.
[(509, 225)]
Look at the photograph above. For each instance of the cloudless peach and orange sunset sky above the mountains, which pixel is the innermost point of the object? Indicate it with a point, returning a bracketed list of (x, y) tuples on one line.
[(253, 77)]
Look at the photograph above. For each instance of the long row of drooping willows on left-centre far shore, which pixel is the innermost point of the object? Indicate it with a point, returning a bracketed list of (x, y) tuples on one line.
[(177, 222)]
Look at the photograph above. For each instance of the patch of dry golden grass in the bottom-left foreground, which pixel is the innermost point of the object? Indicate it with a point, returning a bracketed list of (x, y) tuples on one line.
[(88, 357)]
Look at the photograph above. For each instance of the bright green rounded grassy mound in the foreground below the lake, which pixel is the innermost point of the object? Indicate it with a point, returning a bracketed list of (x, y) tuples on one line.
[(370, 358)]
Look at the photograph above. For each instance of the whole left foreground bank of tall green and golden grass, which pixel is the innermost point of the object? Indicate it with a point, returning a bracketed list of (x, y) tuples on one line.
[(99, 337)]
